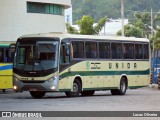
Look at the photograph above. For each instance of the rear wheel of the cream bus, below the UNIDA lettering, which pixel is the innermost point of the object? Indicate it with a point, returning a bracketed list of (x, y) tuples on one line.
[(123, 88)]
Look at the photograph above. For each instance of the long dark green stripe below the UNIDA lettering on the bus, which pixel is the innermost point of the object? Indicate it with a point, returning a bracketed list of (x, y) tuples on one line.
[(103, 73)]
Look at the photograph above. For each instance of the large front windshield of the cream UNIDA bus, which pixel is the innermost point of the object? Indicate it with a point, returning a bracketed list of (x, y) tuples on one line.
[(36, 56)]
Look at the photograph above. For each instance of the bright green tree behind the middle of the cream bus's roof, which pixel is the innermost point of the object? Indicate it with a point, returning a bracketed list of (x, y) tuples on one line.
[(86, 26)]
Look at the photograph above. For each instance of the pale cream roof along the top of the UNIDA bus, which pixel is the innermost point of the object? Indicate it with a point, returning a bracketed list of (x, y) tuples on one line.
[(62, 36)]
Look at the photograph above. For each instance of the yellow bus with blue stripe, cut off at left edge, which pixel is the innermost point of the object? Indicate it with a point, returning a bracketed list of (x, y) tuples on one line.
[(6, 64)]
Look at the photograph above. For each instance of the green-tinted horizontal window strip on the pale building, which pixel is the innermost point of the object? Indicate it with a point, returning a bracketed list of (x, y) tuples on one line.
[(45, 8)]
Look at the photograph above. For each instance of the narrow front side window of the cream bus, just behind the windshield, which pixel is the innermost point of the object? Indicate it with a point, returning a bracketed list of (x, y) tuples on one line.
[(65, 53)]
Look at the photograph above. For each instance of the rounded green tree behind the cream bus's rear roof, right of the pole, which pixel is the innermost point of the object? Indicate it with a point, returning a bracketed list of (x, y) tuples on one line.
[(131, 31)]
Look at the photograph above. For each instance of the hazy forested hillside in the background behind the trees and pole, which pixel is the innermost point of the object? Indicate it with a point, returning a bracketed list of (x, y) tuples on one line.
[(111, 8)]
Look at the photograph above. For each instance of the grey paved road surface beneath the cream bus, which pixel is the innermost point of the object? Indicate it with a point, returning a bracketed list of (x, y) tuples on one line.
[(143, 99)]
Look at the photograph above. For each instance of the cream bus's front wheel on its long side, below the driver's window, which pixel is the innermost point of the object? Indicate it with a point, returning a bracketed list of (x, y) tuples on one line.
[(76, 89)]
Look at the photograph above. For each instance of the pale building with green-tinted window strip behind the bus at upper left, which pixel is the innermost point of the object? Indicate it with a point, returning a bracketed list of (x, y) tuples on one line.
[(19, 17)]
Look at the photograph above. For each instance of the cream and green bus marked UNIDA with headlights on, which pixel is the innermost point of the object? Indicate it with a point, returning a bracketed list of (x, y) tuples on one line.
[(80, 64)]
